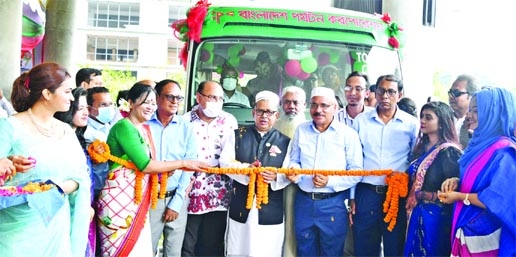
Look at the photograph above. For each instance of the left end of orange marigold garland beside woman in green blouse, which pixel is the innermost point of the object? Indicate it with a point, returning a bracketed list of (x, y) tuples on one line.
[(99, 153)]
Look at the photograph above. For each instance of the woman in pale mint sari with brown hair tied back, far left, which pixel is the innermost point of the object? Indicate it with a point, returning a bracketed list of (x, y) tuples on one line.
[(47, 224)]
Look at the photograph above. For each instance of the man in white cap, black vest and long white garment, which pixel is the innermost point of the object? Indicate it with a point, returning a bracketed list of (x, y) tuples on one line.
[(257, 232)]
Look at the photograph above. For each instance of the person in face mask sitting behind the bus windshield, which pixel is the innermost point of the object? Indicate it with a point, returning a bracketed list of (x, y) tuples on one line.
[(229, 82)]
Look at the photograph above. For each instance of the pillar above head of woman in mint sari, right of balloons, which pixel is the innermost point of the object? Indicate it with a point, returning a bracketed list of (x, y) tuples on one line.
[(59, 36)]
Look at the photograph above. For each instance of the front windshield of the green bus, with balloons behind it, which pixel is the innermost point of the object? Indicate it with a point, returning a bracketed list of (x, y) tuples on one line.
[(275, 64)]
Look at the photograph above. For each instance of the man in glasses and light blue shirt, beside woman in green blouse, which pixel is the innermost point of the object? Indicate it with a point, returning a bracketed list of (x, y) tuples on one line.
[(174, 140)]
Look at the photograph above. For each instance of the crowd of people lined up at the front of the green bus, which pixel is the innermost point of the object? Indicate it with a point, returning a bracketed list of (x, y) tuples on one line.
[(156, 196)]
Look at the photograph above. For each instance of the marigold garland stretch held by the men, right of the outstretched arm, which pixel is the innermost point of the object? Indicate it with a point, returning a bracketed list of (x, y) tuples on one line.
[(397, 183)]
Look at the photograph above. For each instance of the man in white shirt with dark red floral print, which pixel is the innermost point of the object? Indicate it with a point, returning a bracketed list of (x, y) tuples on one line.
[(210, 195)]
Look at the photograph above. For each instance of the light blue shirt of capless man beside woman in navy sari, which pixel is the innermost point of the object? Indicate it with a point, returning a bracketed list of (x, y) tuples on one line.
[(386, 146)]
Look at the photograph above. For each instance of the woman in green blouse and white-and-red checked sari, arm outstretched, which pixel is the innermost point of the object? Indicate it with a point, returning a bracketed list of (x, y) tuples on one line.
[(124, 223)]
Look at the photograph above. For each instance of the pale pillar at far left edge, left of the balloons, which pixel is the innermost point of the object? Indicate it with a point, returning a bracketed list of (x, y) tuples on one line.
[(10, 43)]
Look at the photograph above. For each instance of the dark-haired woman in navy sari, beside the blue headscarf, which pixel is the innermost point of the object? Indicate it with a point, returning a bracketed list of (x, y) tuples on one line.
[(436, 159)]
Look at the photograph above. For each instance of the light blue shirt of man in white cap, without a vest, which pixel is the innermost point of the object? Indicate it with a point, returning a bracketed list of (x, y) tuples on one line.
[(337, 148)]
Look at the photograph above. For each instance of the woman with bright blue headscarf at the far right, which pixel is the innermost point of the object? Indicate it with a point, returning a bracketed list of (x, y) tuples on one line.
[(484, 218)]
